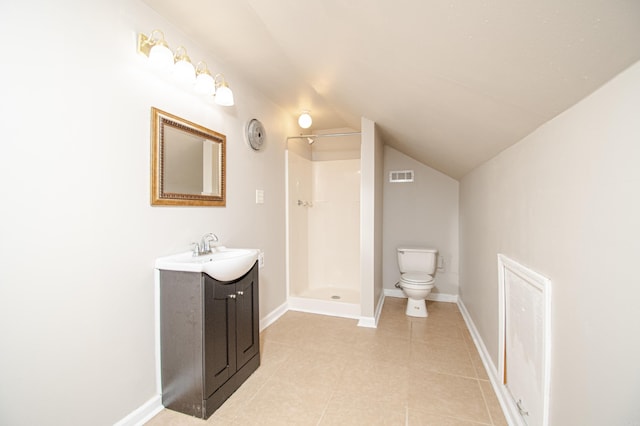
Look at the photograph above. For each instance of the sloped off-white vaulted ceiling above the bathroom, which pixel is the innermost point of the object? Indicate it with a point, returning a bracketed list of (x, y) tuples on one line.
[(450, 83)]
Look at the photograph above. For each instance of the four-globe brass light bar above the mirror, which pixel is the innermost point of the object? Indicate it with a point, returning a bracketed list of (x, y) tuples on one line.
[(160, 56)]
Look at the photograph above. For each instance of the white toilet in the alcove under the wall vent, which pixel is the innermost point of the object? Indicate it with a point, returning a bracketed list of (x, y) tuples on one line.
[(417, 267)]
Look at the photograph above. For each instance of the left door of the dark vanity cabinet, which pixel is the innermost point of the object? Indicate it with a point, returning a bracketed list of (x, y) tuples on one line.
[(219, 334)]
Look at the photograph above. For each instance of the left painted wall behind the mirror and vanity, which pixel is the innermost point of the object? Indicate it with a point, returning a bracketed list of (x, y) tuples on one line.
[(78, 236)]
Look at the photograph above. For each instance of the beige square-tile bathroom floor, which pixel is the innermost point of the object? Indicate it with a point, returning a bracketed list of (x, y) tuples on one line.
[(322, 370)]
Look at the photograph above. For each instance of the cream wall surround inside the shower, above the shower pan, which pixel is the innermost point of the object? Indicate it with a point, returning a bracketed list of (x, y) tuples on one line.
[(324, 235)]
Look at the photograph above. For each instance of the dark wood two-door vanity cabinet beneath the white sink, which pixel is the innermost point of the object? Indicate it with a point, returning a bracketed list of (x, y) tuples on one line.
[(210, 341)]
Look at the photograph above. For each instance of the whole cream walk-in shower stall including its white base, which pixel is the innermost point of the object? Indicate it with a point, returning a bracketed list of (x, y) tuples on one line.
[(323, 215)]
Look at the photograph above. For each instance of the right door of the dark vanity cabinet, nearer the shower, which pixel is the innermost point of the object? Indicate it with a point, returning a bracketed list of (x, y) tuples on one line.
[(247, 320)]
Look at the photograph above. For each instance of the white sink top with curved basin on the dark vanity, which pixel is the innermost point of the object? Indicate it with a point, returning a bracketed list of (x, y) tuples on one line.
[(223, 264)]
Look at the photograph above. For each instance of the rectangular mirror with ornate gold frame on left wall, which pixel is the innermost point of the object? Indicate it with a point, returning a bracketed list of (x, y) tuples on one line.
[(188, 162)]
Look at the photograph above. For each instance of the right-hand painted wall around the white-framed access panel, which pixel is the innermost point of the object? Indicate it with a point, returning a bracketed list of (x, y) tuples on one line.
[(565, 202)]
